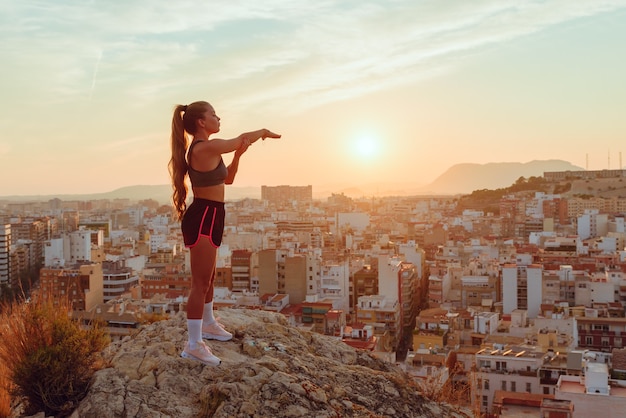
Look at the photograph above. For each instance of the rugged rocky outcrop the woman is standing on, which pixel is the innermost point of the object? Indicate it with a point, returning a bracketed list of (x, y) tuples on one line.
[(270, 369)]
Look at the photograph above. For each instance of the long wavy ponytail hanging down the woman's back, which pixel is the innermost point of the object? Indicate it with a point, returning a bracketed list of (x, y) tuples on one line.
[(178, 163)]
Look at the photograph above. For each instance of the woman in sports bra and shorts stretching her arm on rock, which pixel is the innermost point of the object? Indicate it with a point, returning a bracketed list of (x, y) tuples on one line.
[(202, 222)]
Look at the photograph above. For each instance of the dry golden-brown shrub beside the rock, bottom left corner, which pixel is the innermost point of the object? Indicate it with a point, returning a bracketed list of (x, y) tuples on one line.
[(49, 358)]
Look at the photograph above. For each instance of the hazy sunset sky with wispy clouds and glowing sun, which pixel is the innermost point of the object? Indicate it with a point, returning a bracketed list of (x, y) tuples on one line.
[(392, 91)]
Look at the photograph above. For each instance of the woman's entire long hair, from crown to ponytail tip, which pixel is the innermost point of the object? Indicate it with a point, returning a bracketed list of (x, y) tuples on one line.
[(183, 123)]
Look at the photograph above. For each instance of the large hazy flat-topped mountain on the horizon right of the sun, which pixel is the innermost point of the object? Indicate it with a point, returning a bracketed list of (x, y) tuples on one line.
[(465, 178)]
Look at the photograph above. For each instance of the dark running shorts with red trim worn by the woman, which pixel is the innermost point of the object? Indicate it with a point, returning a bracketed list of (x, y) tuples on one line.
[(203, 218)]
